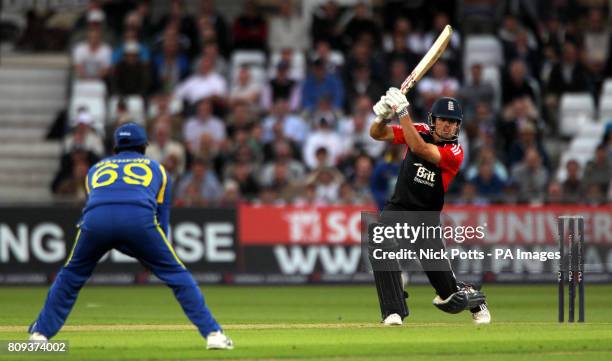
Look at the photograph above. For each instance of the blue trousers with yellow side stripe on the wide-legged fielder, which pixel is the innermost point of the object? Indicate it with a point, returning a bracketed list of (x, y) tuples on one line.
[(134, 231)]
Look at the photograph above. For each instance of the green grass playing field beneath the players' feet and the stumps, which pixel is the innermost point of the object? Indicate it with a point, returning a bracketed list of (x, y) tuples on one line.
[(314, 323)]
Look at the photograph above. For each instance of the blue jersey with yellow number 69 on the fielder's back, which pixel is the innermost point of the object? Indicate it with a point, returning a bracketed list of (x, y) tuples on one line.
[(130, 178)]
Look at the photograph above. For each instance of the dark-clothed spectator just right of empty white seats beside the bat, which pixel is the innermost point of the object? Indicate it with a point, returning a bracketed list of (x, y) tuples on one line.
[(517, 84)]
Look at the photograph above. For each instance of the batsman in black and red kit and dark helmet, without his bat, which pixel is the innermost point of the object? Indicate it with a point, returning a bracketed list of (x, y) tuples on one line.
[(433, 157)]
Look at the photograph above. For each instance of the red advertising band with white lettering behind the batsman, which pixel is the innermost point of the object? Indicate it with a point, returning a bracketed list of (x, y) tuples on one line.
[(269, 225)]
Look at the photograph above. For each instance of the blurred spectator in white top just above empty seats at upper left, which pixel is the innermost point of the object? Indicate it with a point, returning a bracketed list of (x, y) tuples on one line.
[(92, 58)]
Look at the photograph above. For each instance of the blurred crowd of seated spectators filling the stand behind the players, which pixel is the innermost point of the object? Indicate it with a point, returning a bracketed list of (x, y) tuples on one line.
[(298, 133)]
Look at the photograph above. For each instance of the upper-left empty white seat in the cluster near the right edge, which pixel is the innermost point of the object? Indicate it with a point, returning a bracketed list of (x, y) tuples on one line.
[(576, 109)]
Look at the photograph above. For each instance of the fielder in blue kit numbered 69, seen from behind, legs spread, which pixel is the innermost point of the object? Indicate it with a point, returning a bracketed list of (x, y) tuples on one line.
[(128, 209)]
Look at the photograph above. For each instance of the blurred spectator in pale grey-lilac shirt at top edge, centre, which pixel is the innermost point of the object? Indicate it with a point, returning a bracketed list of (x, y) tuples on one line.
[(286, 29)]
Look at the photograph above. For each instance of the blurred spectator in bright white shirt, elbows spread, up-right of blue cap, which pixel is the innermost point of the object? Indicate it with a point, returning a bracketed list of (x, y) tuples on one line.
[(206, 83)]
